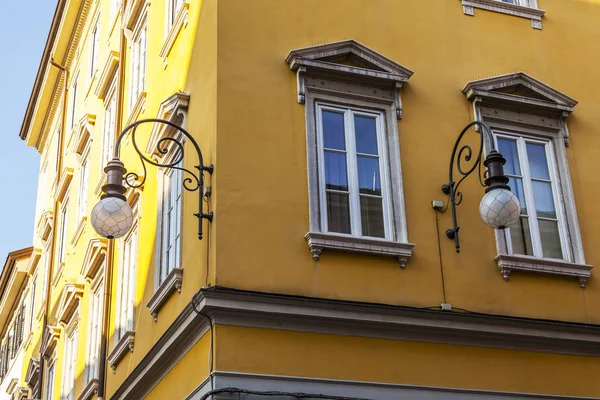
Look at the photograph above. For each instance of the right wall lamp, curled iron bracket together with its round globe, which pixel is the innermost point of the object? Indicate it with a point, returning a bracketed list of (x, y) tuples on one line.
[(499, 207)]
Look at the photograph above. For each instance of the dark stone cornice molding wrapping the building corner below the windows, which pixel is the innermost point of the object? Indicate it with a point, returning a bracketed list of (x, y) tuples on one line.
[(305, 314)]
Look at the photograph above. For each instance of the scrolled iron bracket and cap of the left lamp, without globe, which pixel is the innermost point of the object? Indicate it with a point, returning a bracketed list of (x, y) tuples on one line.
[(192, 181)]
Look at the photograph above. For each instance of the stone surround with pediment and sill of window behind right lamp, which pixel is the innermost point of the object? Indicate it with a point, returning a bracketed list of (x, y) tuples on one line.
[(543, 117)]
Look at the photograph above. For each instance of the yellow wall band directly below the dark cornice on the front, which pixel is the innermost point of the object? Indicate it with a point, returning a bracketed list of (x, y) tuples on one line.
[(267, 351)]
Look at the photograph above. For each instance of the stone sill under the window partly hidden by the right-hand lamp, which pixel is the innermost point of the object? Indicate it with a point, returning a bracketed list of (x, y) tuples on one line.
[(507, 264)]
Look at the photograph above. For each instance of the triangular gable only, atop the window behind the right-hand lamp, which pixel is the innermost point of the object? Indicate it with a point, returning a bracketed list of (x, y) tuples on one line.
[(520, 89)]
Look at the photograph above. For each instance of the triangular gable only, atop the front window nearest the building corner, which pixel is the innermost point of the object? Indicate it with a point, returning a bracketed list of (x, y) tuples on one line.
[(349, 56)]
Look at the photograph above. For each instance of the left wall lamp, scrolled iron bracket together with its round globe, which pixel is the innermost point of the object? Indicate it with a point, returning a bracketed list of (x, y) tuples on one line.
[(112, 217)]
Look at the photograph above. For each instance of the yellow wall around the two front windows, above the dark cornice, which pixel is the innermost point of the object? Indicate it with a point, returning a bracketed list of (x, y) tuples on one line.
[(262, 195)]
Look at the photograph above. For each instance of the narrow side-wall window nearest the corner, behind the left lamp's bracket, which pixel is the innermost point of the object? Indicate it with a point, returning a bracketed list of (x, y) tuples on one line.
[(171, 223)]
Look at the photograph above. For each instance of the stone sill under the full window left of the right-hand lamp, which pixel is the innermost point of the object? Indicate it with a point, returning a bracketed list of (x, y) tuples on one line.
[(317, 242)]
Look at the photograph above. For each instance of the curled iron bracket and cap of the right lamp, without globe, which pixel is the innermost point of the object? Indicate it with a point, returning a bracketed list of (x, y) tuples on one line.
[(494, 175)]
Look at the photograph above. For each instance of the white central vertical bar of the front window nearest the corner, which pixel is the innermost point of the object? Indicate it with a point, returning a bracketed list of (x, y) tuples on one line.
[(353, 187)]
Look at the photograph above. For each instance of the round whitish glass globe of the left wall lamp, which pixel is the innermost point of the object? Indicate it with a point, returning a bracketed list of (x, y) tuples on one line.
[(112, 217)]
